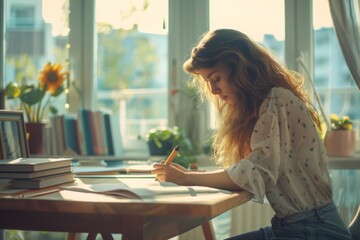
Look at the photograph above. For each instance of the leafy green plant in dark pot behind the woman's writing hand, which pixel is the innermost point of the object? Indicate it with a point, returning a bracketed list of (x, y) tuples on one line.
[(162, 140)]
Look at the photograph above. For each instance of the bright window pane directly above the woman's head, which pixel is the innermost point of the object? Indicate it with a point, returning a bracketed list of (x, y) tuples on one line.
[(247, 17)]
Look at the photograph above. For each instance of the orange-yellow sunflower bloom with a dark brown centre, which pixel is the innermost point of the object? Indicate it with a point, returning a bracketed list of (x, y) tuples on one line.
[(52, 77)]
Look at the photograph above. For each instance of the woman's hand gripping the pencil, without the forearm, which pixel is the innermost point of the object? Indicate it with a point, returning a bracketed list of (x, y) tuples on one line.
[(170, 173)]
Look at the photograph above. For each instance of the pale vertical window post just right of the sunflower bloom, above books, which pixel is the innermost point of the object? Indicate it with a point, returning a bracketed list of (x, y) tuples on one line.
[(82, 54)]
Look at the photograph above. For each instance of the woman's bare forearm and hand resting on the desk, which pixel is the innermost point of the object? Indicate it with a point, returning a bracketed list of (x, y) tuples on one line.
[(179, 175)]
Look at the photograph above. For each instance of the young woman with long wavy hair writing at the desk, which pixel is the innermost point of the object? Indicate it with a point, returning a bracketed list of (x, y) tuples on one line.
[(267, 141)]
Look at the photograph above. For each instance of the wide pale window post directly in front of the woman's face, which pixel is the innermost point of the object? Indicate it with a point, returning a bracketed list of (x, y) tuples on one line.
[(188, 19)]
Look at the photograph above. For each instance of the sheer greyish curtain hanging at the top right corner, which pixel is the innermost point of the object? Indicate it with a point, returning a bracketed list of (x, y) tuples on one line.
[(346, 19)]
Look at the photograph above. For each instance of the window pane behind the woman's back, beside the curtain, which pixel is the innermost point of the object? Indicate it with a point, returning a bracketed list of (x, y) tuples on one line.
[(333, 80)]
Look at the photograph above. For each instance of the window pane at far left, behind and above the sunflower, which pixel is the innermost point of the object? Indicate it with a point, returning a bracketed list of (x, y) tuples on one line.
[(36, 32)]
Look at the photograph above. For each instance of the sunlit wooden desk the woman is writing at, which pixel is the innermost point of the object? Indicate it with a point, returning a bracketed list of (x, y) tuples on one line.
[(162, 217)]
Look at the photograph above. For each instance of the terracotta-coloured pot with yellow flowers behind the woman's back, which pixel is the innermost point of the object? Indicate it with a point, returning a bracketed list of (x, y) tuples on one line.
[(340, 140)]
